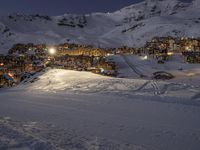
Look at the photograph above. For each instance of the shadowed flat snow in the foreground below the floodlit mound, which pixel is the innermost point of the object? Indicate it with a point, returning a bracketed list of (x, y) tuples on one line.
[(131, 121)]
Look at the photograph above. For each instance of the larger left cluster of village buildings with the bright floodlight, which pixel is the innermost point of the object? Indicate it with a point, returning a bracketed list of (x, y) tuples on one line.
[(24, 60)]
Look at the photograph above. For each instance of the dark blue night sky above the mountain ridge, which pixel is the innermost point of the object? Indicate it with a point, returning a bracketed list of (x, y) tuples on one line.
[(58, 7)]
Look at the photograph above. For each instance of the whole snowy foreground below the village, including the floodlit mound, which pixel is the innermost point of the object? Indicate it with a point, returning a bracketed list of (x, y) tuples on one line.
[(61, 109)]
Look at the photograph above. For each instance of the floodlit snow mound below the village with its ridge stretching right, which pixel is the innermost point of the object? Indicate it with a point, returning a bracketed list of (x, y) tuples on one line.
[(66, 81)]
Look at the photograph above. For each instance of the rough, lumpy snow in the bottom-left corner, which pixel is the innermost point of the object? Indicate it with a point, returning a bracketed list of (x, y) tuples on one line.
[(16, 135)]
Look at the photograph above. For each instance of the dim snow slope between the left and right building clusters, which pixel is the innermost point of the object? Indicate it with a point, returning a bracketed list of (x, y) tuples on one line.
[(184, 73)]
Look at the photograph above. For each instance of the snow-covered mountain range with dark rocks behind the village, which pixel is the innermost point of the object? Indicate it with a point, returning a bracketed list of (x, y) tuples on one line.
[(131, 26)]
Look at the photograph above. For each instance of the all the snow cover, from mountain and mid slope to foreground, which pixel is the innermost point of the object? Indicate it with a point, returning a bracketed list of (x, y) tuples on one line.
[(64, 109)]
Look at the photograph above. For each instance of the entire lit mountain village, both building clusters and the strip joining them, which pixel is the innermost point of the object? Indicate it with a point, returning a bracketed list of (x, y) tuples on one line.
[(25, 60)]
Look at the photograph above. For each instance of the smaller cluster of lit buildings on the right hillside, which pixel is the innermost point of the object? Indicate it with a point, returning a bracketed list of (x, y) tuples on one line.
[(162, 48)]
